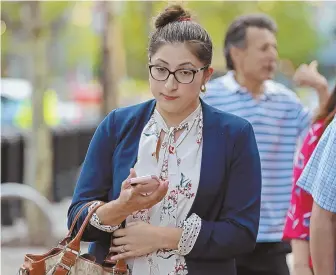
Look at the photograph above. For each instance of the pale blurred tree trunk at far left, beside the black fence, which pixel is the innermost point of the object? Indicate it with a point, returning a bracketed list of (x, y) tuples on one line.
[(38, 151)]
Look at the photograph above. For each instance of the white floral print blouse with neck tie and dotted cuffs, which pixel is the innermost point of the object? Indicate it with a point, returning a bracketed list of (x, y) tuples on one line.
[(179, 162)]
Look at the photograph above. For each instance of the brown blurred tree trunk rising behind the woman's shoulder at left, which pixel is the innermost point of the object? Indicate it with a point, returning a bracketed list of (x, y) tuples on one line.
[(109, 72)]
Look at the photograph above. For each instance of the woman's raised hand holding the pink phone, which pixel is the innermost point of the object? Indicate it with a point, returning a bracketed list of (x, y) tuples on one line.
[(133, 198)]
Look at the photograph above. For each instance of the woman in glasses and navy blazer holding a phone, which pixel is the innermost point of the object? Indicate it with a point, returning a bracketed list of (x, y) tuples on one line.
[(204, 209)]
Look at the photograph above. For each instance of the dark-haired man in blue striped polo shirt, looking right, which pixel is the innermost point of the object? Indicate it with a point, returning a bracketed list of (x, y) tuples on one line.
[(279, 120)]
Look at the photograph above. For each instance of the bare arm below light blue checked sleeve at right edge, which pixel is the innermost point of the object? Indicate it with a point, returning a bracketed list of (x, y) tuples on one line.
[(322, 242)]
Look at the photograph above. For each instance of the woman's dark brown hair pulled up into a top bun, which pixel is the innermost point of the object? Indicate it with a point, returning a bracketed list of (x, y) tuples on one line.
[(174, 25)]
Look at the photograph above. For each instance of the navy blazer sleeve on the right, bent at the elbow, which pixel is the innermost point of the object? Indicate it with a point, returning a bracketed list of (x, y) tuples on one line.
[(235, 231)]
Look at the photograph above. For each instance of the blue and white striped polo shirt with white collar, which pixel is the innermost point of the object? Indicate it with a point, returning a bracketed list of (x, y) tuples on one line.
[(279, 121)]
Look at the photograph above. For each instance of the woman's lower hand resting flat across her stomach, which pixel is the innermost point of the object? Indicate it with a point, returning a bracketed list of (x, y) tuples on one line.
[(136, 240)]
